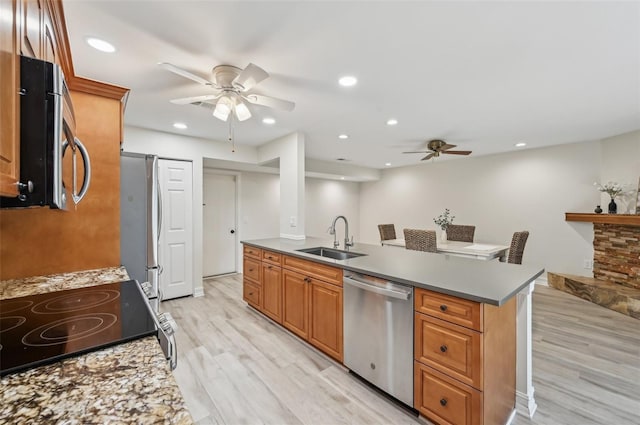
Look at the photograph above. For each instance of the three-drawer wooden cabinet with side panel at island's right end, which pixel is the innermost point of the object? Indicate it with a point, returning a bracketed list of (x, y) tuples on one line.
[(465, 354)]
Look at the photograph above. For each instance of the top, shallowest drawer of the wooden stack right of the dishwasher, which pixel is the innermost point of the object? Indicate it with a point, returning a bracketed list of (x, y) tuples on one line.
[(455, 310)]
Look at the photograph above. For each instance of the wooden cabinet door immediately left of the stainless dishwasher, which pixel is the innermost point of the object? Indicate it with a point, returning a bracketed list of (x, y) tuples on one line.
[(325, 317)]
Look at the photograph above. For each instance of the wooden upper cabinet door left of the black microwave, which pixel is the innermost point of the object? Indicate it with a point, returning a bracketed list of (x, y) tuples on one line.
[(9, 84)]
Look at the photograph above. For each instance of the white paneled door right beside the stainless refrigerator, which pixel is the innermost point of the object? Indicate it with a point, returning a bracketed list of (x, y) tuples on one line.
[(176, 228)]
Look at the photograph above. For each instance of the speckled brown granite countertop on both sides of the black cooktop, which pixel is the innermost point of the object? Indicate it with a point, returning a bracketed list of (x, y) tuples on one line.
[(129, 383)]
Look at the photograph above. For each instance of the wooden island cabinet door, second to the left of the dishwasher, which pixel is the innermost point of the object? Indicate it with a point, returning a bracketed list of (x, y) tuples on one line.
[(295, 314)]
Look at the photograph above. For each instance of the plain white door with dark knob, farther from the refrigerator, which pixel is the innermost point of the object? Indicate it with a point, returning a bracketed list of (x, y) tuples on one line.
[(219, 225)]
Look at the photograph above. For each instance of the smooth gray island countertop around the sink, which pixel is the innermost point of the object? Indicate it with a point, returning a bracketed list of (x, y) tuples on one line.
[(490, 282)]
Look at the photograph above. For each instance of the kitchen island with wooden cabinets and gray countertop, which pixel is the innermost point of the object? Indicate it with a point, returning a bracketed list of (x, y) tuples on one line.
[(467, 316)]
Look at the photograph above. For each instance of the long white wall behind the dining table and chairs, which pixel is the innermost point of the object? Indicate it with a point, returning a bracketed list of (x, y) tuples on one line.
[(499, 194)]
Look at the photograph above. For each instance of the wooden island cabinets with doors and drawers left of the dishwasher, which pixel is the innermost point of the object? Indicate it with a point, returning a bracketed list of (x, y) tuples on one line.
[(303, 296)]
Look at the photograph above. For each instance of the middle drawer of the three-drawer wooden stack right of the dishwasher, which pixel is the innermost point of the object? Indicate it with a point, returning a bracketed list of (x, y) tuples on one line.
[(452, 349)]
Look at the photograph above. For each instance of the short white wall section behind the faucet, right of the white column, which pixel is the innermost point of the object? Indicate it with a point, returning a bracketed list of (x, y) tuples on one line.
[(326, 199)]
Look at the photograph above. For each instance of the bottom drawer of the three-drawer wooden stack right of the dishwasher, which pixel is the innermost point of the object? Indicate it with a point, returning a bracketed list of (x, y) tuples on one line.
[(444, 400)]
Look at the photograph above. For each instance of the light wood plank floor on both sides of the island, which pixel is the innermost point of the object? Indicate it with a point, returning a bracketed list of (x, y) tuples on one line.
[(237, 367)]
